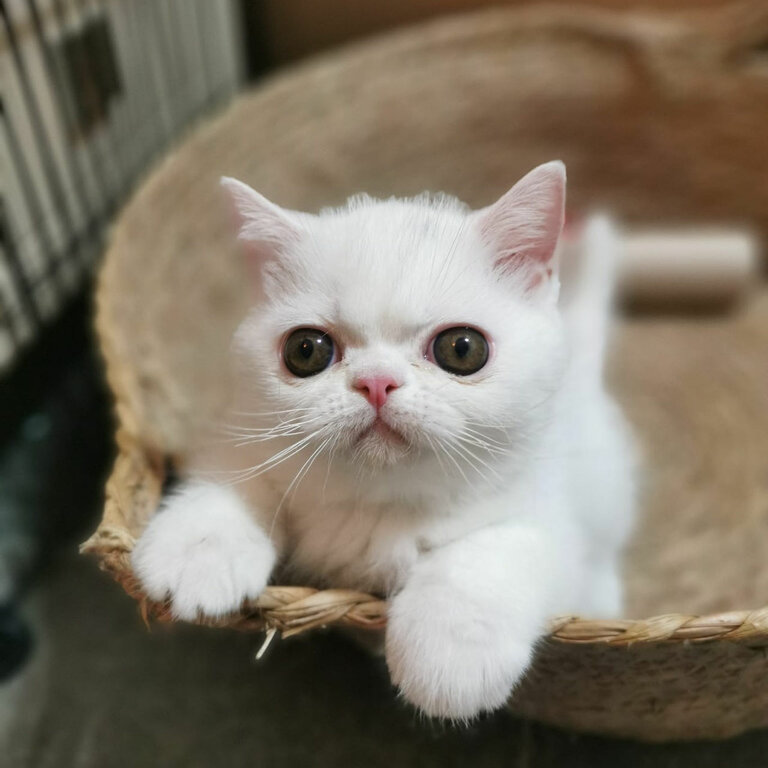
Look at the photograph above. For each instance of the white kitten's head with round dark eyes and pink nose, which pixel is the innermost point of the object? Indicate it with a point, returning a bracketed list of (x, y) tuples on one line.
[(401, 331)]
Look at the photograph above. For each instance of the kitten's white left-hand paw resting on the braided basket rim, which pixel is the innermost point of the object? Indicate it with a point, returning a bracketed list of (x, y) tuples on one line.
[(204, 551)]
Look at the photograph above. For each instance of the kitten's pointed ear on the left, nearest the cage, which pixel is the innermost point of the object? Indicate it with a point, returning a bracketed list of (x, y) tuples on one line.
[(262, 226)]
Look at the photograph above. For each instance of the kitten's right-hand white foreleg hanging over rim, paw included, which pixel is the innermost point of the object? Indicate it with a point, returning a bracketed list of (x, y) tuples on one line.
[(461, 633)]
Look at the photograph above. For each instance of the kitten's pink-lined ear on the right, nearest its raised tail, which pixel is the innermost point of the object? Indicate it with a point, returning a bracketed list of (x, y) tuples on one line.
[(524, 225)]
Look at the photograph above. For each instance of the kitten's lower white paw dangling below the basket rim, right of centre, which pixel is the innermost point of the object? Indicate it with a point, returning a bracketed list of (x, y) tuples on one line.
[(450, 659)]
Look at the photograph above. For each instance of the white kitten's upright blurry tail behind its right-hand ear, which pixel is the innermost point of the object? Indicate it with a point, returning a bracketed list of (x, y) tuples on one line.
[(589, 268)]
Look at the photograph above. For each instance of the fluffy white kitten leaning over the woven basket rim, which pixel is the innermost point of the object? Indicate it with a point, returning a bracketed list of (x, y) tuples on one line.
[(427, 423)]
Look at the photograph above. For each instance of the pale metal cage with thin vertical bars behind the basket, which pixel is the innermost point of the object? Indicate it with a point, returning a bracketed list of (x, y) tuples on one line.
[(91, 91)]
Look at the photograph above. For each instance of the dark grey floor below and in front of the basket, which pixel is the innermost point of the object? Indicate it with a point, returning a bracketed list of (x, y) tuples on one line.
[(103, 691)]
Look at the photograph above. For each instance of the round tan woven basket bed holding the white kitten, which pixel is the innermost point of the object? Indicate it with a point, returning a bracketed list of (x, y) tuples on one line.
[(641, 110)]
